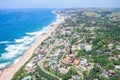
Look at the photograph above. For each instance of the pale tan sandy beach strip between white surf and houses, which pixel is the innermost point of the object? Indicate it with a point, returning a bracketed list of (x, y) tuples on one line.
[(9, 72)]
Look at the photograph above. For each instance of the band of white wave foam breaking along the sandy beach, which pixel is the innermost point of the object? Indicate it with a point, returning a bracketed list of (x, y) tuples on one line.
[(16, 50)]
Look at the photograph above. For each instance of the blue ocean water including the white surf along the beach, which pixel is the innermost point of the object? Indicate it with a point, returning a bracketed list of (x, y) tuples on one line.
[(18, 29)]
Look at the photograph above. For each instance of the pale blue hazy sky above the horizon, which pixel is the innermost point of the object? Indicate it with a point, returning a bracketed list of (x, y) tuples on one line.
[(58, 3)]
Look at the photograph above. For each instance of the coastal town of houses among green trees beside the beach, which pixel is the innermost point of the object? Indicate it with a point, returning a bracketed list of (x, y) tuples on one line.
[(86, 46)]
